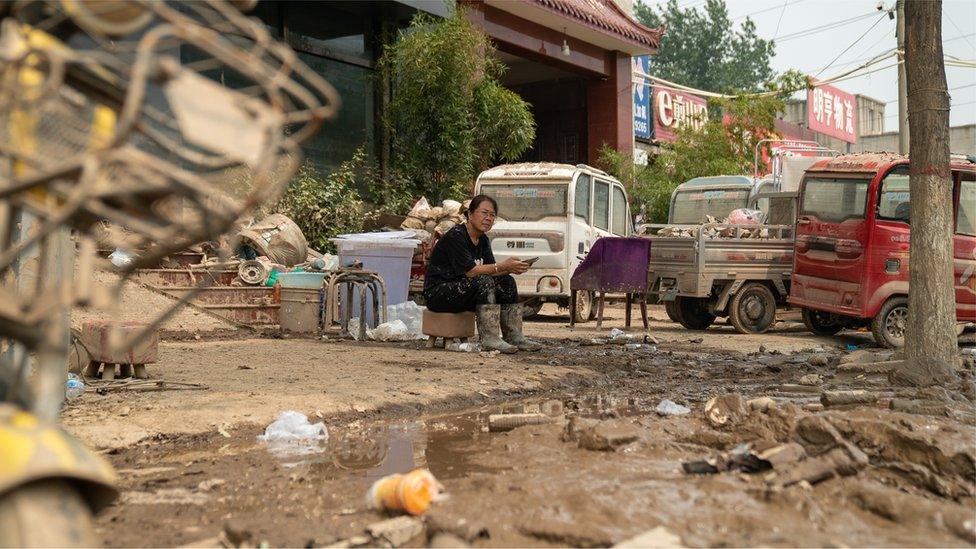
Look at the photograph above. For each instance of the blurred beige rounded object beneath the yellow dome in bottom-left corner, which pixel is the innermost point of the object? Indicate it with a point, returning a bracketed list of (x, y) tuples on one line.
[(46, 513)]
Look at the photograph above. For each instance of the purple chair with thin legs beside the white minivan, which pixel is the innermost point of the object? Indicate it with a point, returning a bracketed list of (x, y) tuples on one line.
[(614, 264)]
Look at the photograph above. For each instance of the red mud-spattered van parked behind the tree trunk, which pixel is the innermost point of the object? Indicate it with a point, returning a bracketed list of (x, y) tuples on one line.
[(853, 232)]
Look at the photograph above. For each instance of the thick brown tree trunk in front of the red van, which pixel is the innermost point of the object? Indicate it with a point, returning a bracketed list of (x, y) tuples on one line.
[(930, 330)]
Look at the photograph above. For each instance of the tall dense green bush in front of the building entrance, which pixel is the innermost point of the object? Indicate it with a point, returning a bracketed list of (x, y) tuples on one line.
[(449, 115)]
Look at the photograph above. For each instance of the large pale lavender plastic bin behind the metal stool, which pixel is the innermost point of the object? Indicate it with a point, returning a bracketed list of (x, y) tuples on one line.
[(389, 254)]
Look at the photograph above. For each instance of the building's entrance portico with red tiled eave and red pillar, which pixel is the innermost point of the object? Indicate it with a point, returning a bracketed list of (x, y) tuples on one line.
[(571, 61)]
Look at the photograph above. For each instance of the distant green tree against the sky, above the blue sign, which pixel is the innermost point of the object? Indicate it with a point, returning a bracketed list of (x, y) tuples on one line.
[(703, 49)]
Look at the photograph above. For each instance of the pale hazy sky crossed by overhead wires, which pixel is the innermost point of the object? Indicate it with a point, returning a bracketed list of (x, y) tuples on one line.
[(807, 40)]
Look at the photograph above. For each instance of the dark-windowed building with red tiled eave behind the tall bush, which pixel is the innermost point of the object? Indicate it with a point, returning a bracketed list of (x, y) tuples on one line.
[(569, 59)]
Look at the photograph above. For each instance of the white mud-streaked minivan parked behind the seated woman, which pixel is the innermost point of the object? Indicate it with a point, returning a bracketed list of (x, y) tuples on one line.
[(554, 212)]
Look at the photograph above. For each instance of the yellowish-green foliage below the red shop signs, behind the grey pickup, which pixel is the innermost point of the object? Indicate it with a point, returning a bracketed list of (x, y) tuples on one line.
[(719, 148)]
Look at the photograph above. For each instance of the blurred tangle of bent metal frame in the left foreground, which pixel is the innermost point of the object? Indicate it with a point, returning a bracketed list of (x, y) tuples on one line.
[(121, 117)]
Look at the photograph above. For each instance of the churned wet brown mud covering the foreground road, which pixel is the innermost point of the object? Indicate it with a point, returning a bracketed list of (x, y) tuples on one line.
[(605, 468)]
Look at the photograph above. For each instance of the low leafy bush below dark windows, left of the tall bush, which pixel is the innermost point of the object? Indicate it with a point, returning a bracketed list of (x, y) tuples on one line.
[(325, 207)]
